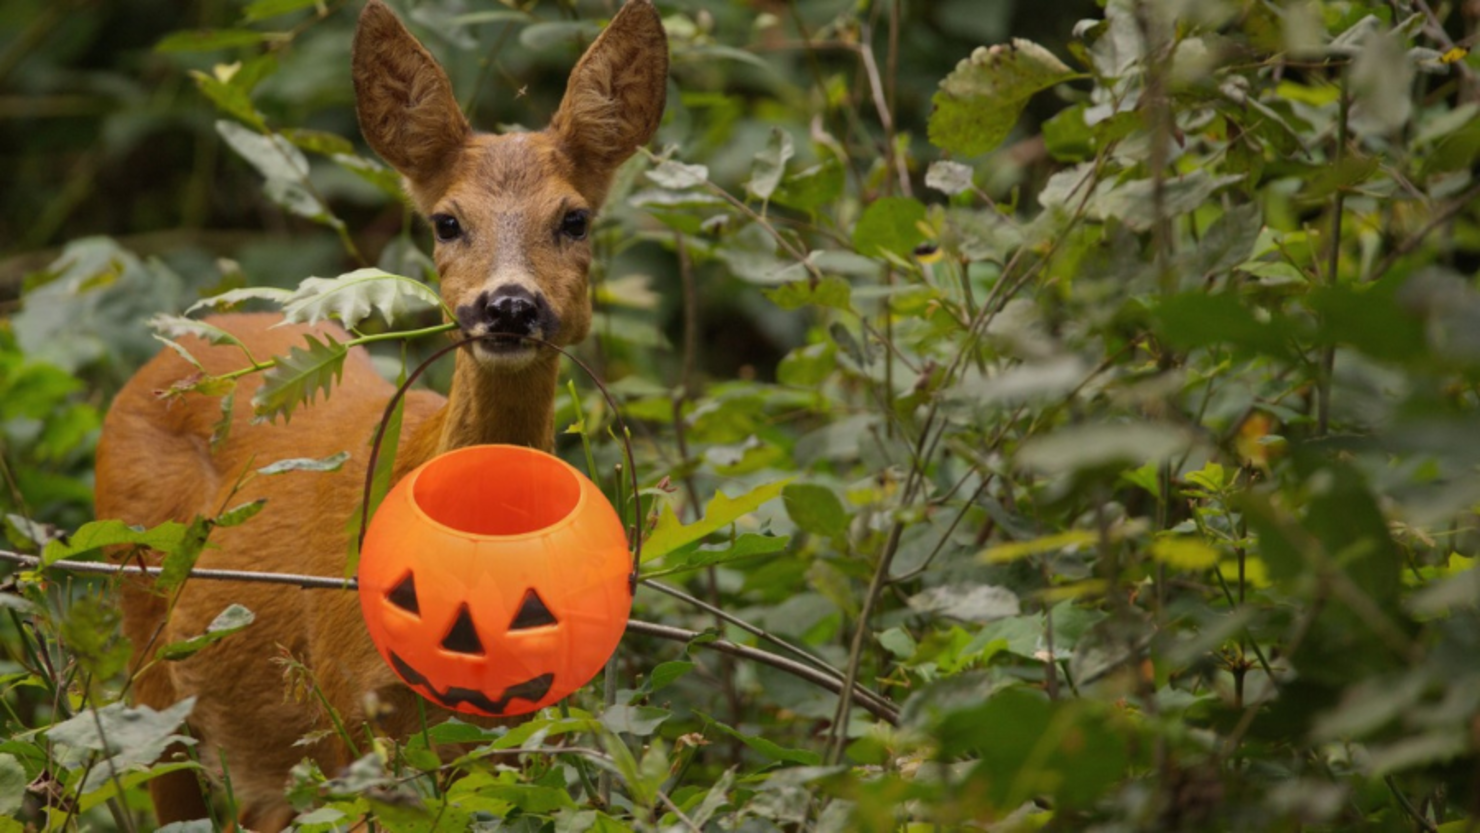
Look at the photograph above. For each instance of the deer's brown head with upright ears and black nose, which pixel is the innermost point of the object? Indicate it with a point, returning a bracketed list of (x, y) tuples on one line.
[(511, 214)]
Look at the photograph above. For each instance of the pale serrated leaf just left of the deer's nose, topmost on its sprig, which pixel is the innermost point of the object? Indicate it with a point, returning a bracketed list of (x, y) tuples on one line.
[(354, 297)]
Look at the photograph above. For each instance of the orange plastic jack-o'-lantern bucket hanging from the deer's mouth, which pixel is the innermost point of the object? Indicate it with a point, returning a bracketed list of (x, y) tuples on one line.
[(495, 581)]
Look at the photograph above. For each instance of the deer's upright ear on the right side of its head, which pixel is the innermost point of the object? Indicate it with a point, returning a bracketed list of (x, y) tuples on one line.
[(615, 97)]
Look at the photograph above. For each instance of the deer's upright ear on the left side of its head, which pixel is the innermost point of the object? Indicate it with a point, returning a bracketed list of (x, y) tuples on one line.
[(406, 104)]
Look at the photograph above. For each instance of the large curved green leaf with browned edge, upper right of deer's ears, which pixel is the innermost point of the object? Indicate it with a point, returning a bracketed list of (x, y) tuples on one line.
[(982, 100)]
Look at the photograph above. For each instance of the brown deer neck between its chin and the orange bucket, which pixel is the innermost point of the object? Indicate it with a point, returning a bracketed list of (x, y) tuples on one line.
[(485, 408)]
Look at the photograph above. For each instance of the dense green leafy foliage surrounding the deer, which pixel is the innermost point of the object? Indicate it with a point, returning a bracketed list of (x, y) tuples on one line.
[(1105, 400)]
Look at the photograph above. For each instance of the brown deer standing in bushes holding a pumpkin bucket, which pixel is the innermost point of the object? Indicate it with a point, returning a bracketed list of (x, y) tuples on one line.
[(511, 217)]
